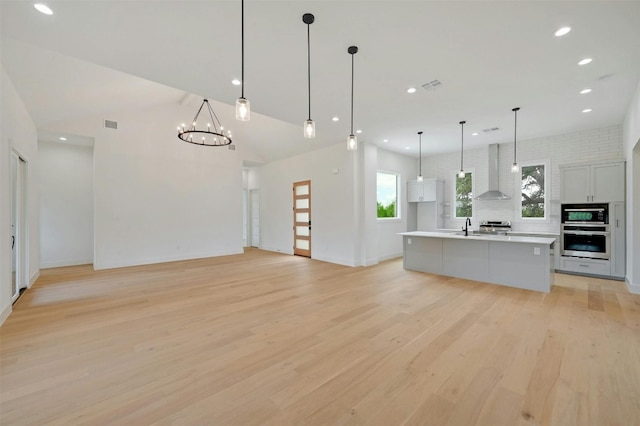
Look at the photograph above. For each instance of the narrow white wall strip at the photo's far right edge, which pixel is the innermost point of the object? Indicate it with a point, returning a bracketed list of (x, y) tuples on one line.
[(631, 142)]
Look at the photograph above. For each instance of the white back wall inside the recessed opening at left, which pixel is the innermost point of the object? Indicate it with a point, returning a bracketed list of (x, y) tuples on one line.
[(66, 204)]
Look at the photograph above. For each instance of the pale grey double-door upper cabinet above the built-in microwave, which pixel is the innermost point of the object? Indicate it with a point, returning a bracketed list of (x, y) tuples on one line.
[(592, 183)]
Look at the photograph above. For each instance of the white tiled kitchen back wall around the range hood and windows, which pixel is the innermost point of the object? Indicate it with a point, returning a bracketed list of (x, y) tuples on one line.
[(592, 145)]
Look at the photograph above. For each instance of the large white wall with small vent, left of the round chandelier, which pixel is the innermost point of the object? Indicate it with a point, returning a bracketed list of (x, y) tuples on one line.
[(158, 199)]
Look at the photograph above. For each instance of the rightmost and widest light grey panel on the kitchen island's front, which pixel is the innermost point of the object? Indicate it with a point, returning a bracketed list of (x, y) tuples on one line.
[(525, 266)]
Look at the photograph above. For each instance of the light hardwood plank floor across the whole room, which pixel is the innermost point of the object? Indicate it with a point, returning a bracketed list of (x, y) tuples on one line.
[(270, 339)]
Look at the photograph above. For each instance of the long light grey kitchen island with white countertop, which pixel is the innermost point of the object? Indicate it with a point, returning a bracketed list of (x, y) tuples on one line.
[(514, 261)]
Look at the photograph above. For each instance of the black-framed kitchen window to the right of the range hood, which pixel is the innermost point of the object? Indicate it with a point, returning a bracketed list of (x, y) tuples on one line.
[(533, 203)]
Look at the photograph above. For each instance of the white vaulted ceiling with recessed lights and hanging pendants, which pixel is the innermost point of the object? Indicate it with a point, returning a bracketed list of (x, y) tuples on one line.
[(92, 57)]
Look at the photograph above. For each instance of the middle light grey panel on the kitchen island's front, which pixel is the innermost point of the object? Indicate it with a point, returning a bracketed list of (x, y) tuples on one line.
[(467, 259)]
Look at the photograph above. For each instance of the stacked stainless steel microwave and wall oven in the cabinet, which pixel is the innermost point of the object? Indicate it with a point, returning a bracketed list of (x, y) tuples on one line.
[(585, 231)]
